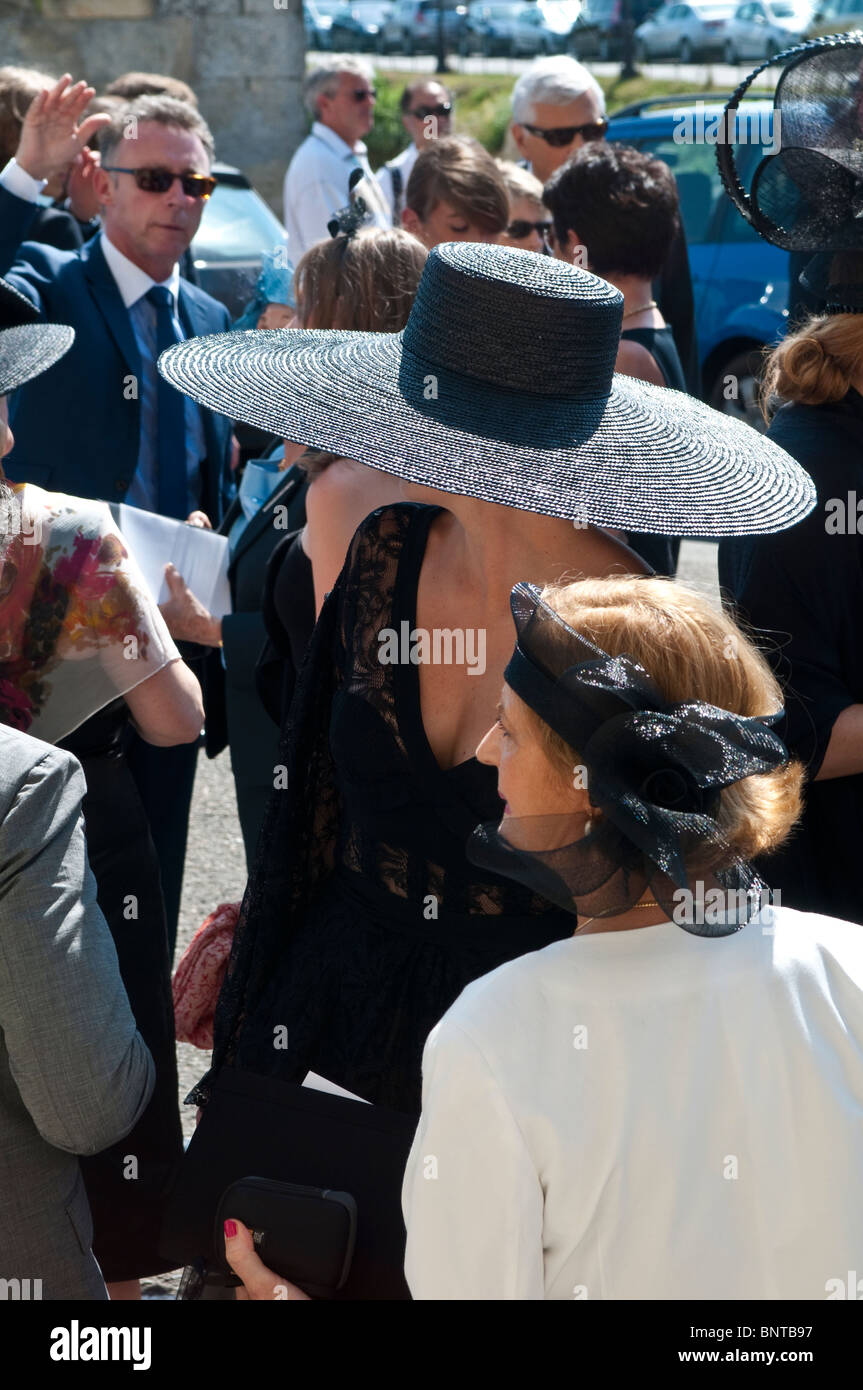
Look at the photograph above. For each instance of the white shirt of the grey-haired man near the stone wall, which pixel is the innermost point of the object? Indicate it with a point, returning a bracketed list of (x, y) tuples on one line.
[(316, 187)]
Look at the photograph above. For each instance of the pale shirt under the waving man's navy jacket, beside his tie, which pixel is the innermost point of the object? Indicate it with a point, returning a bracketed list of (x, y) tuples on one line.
[(134, 284)]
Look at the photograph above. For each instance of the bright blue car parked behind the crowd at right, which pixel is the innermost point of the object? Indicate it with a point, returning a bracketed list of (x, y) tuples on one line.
[(740, 281)]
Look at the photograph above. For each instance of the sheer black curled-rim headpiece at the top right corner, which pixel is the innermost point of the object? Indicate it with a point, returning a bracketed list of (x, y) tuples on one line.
[(808, 197)]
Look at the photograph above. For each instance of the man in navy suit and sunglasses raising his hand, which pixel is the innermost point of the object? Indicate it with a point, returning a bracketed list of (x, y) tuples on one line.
[(102, 423)]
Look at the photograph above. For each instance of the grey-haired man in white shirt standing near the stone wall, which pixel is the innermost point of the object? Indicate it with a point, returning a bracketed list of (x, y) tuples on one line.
[(341, 98)]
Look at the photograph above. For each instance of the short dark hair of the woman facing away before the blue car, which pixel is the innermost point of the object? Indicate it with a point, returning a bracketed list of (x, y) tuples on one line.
[(622, 204)]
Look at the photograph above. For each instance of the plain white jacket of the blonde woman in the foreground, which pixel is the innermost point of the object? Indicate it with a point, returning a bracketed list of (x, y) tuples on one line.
[(647, 1115)]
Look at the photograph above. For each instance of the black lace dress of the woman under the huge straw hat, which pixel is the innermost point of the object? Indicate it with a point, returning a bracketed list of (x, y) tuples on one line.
[(363, 919)]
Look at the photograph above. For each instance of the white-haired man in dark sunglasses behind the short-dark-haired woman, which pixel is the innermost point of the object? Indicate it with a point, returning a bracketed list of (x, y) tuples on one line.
[(558, 108)]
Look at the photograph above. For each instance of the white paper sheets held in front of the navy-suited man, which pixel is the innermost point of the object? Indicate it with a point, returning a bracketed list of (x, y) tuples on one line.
[(201, 557)]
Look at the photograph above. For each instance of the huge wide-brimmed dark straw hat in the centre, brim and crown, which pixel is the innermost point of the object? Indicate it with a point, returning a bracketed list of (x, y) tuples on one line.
[(502, 387)]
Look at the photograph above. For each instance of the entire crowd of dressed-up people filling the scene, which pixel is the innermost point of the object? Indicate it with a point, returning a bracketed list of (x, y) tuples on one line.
[(472, 714)]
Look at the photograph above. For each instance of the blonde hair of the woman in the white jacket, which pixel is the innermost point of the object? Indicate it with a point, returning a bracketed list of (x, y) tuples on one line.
[(693, 653)]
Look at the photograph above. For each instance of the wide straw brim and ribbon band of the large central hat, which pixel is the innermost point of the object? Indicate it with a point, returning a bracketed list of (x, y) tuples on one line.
[(644, 458)]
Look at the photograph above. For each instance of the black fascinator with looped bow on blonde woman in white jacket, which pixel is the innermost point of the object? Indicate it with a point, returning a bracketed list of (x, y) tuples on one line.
[(654, 769)]
